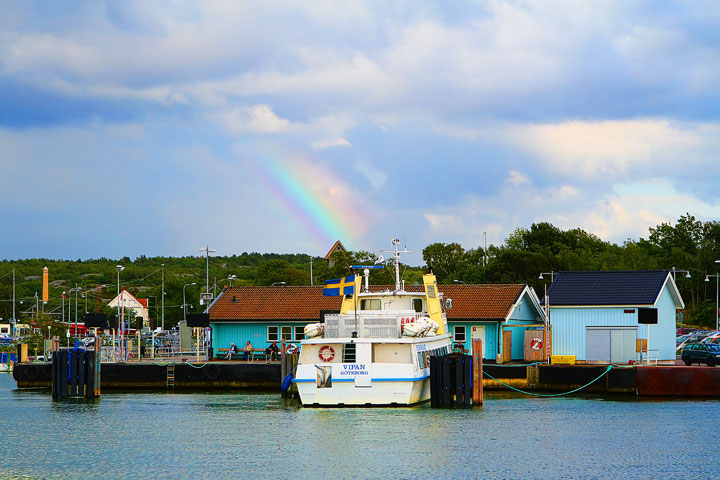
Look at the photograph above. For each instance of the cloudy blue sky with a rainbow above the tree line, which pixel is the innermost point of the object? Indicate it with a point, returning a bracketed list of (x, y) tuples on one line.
[(158, 127)]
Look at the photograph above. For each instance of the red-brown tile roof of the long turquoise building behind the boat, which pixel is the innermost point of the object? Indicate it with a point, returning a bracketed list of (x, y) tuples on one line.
[(470, 302)]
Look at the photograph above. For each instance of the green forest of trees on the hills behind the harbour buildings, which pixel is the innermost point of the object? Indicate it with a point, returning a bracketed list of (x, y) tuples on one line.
[(688, 246)]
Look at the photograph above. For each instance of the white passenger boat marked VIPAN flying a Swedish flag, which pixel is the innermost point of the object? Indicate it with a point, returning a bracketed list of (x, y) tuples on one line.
[(376, 351)]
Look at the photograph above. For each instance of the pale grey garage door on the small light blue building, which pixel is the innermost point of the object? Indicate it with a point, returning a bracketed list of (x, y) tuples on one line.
[(610, 345)]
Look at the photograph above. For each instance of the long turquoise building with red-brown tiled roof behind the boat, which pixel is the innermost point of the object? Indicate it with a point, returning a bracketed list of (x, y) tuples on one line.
[(497, 314)]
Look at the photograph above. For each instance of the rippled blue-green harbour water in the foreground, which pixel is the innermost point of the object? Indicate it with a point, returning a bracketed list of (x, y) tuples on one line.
[(243, 435)]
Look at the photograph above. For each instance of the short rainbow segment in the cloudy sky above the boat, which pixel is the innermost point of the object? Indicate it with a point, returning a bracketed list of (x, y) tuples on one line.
[(314, 197)]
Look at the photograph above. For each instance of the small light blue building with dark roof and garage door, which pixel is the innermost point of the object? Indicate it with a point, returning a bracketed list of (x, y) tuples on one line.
[(598, 317)]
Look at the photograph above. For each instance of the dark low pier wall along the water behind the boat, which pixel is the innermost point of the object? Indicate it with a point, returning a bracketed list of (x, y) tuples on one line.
[(678, 381)]
